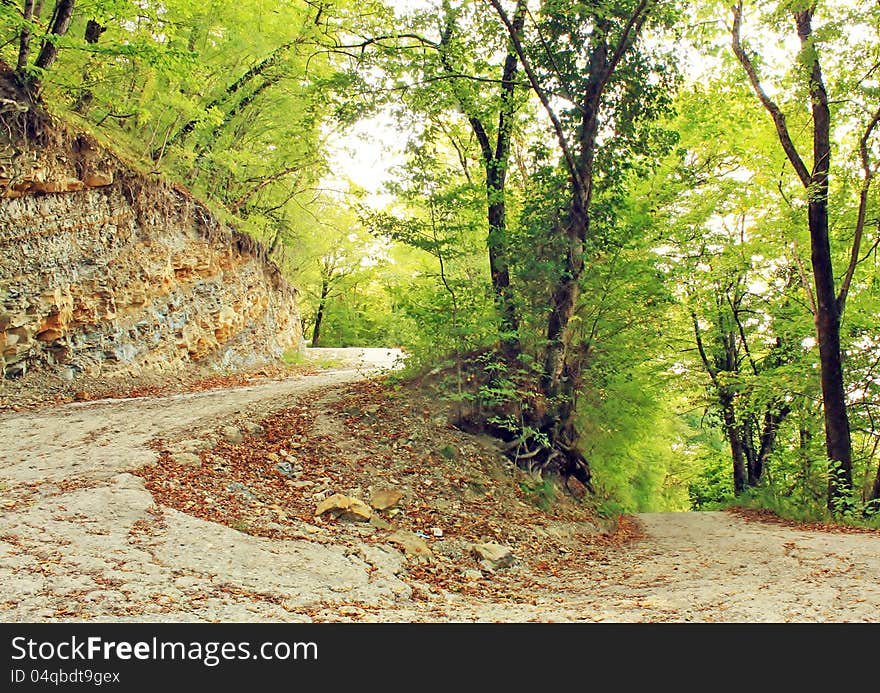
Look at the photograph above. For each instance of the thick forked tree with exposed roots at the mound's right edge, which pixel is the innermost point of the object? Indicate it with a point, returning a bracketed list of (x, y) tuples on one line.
[(591, 58)]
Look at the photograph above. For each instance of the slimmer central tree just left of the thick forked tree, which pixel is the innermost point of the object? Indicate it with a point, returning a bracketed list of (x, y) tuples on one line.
[(444, 64)]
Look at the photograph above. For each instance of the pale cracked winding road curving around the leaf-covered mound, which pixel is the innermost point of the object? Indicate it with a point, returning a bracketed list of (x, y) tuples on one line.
[(81, 538)]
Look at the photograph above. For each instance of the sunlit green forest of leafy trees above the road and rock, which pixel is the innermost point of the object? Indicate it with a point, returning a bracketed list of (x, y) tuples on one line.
[(639, 237)]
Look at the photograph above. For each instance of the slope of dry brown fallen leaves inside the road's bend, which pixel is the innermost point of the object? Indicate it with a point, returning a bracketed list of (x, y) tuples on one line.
[(370, 435)]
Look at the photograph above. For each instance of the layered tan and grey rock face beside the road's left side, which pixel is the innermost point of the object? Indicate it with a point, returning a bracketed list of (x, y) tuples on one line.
[(105, 271)]
